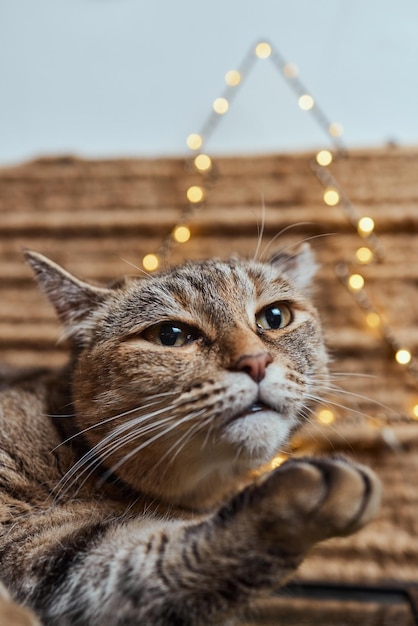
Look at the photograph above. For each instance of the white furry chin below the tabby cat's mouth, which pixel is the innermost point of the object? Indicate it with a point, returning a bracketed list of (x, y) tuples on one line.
[(258, 434)]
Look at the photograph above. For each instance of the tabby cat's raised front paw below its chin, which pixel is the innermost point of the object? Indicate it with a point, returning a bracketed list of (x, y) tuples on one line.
[(309, 500)]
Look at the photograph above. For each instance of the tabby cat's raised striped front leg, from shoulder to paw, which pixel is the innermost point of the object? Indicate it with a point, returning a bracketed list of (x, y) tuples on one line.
[(166, 573)]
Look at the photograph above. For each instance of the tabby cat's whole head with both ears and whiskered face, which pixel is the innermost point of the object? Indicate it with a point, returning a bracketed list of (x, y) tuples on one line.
[(201, 372)]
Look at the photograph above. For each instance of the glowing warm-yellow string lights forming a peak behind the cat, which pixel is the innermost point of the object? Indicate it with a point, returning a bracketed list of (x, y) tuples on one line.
[(333, 195)]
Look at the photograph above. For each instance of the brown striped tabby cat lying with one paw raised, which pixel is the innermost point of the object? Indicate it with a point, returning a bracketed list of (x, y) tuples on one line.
[(131, 490)]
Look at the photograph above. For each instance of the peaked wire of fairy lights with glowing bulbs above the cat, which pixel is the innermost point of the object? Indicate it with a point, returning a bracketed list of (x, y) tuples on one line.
[(371, 250)]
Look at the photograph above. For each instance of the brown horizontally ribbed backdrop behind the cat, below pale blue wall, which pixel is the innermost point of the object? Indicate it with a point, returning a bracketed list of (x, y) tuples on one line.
[(98, 217)]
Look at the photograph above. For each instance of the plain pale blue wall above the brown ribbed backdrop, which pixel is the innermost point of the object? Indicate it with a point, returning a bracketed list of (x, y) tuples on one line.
[(109, 78)]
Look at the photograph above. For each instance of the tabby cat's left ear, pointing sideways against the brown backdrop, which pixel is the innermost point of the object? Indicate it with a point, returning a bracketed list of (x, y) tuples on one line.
[(72, 298)]
